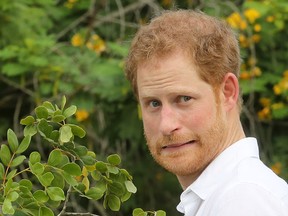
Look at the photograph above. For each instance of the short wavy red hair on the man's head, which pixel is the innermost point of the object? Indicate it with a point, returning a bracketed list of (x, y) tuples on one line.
[(209, 41)]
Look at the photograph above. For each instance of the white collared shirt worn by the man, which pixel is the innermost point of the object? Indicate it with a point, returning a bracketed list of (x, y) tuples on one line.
[(236, 183)]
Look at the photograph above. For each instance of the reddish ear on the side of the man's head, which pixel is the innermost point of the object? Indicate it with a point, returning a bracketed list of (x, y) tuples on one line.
[(230, 90)]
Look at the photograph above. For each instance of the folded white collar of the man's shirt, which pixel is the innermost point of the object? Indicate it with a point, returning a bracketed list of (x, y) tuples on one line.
[(219, 169)]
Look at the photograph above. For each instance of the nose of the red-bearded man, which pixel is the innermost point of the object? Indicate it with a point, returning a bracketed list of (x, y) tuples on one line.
[(169, 120)]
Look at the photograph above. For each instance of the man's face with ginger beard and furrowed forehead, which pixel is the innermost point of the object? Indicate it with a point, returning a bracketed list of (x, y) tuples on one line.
[(183, 124)]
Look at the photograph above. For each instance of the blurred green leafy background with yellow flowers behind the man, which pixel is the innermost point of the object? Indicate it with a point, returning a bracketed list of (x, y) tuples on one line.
[(76, 48)]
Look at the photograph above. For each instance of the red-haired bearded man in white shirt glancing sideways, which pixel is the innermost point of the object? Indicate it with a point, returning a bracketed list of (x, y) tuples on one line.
[(184, 69)]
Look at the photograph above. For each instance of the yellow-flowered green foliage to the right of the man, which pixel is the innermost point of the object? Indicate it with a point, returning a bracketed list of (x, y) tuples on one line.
[(262, 29)]
